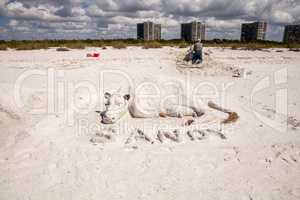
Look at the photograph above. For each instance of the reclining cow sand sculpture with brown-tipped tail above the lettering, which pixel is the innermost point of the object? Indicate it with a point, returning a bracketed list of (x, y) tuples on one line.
[(118, 105)]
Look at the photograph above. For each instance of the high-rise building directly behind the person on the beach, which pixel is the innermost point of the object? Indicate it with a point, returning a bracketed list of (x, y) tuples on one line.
[(193, 31)]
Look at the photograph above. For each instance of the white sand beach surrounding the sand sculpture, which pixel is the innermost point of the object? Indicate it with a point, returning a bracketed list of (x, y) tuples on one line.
[(53, 145)]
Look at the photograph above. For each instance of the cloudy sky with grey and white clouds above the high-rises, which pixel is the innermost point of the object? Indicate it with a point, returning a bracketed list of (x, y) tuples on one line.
[(81, 19)]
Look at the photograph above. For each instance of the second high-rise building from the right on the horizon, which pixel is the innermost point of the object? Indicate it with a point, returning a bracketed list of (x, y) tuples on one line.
[(253, 31)]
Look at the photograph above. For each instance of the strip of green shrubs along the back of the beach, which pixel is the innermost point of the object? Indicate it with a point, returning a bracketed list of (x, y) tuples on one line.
[(121, 44)]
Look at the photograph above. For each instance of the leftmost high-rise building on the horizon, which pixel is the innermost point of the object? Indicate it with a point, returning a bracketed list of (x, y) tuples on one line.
[(148, 31)]
